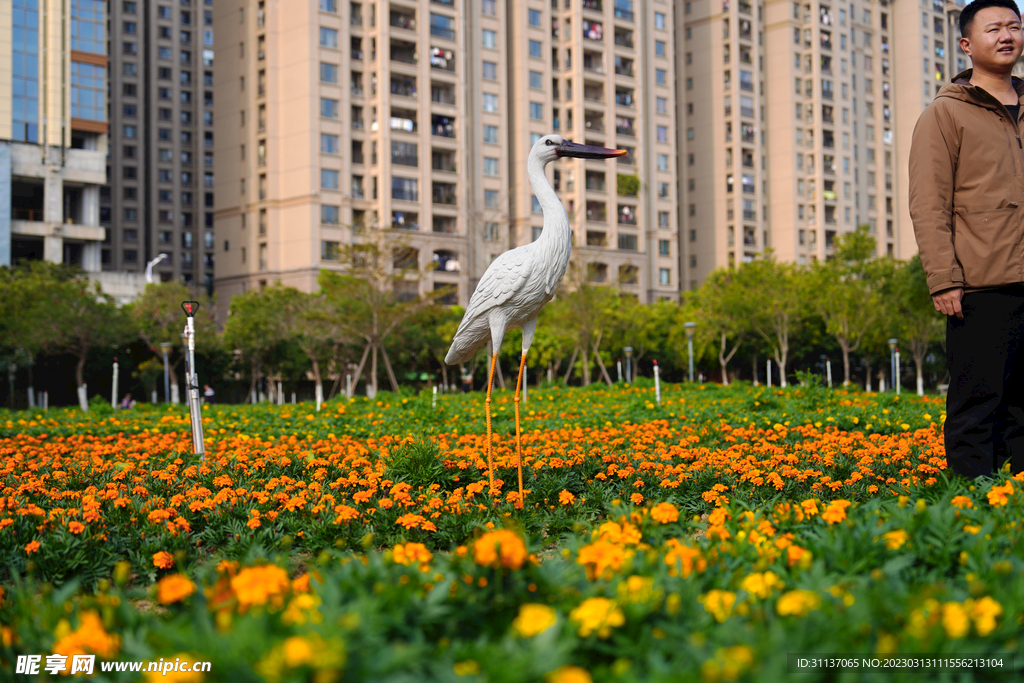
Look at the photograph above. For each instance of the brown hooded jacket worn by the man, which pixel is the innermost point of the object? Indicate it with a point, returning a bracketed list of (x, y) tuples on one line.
[(967, 189)]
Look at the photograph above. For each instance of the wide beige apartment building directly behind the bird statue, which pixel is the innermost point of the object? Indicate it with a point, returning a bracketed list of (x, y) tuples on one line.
[(419, 115)]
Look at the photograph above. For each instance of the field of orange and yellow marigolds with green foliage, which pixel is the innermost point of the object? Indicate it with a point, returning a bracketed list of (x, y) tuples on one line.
[(702, 539)]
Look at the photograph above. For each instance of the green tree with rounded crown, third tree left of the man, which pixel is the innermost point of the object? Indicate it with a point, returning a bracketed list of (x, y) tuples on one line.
[(780, 304)]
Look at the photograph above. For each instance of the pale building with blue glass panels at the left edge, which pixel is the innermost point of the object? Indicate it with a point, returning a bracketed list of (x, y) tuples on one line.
[(53, 131)]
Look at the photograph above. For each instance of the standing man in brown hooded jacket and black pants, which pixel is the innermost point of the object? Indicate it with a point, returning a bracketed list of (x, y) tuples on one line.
[(967, 202)]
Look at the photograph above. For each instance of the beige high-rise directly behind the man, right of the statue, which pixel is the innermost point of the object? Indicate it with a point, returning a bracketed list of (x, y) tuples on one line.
[(799, 118)]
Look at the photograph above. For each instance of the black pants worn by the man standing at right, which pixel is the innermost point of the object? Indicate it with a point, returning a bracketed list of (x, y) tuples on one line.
[(986, 404)]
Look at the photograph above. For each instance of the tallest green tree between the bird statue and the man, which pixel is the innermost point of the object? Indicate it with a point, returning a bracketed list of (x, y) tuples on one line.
[(845, 291)]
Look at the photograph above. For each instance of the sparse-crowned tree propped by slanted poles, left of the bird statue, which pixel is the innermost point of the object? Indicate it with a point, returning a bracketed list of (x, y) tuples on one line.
[(374, 296)]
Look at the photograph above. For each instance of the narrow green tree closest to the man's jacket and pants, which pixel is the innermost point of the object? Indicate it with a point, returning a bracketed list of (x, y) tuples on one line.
[(919, 324)]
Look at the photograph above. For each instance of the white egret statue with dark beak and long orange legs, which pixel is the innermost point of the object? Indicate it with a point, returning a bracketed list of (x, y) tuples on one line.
[(519, 283)]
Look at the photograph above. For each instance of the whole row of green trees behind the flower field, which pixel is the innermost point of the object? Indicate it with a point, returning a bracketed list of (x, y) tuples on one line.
[(367, 320)]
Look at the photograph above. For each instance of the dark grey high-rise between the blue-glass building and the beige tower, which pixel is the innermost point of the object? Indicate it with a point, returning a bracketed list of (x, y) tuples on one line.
[(160, 198)]
